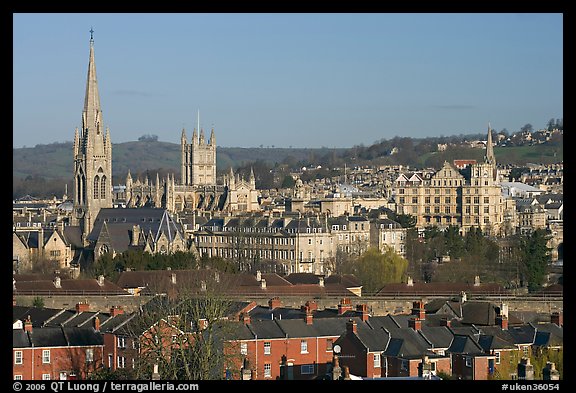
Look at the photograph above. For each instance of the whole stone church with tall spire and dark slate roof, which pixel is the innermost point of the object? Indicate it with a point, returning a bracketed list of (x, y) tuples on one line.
[(102, 228)]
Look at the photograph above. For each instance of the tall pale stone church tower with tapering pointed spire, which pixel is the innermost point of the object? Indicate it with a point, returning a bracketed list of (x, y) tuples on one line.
[(92, 157)]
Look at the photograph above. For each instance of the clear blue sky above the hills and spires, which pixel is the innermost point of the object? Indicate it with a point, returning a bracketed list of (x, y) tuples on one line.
[(287, 79)]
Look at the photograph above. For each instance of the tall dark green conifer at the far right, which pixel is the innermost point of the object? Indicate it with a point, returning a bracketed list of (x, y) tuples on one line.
[(536, 258)]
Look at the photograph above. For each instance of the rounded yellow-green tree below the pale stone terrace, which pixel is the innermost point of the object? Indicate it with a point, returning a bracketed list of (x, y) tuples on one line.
[(375, 269)]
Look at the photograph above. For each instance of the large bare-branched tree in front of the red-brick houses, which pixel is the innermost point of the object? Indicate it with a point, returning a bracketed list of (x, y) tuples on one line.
[(183, 331)]
